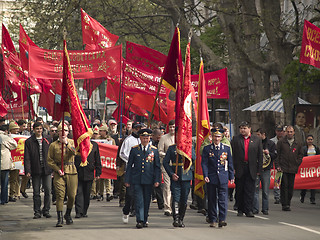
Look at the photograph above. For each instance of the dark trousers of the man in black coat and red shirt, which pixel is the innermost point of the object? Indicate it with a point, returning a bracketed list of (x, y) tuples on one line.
[(245, 189)]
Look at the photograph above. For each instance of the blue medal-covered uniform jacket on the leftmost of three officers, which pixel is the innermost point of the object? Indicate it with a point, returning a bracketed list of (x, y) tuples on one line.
[(143, 168)]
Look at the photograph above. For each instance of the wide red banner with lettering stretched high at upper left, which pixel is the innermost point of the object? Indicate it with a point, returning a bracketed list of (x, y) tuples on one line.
[(47, 64)]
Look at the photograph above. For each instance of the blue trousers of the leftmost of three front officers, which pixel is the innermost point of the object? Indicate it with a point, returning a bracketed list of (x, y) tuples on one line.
[(142, 197)]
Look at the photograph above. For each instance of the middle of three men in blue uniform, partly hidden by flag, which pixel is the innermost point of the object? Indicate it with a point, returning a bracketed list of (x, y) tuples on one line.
[(180, 183)]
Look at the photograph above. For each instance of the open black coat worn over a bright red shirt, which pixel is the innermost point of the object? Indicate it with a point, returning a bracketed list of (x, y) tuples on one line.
[(254, 154)]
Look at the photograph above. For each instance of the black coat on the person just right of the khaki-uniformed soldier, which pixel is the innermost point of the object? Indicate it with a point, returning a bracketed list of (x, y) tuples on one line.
[(94, 164)]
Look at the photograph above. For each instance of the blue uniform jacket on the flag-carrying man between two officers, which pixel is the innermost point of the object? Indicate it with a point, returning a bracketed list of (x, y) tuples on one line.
[(169, 163)]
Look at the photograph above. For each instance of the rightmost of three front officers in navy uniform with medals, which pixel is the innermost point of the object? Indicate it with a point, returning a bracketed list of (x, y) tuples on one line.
[(217, 167)]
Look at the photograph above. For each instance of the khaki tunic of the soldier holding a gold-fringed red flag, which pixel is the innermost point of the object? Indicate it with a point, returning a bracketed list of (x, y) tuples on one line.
[(54, 157)]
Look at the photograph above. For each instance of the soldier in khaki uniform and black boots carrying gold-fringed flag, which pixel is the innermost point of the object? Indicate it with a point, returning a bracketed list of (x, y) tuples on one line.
[(63, 177)]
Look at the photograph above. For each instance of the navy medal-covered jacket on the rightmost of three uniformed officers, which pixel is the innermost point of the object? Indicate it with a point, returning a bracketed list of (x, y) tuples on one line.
[(216, 164)]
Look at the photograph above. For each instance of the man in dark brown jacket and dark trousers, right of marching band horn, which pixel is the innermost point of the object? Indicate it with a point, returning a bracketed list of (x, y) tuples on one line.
[(288, 161)]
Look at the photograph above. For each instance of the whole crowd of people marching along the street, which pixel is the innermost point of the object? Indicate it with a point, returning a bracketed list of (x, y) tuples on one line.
[(150, 169)]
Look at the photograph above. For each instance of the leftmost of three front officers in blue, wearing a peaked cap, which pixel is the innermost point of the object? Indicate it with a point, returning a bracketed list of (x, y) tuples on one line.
[(143, 171)]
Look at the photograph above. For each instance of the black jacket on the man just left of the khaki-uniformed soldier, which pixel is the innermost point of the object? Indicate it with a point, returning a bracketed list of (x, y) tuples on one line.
[(32, 156)]
